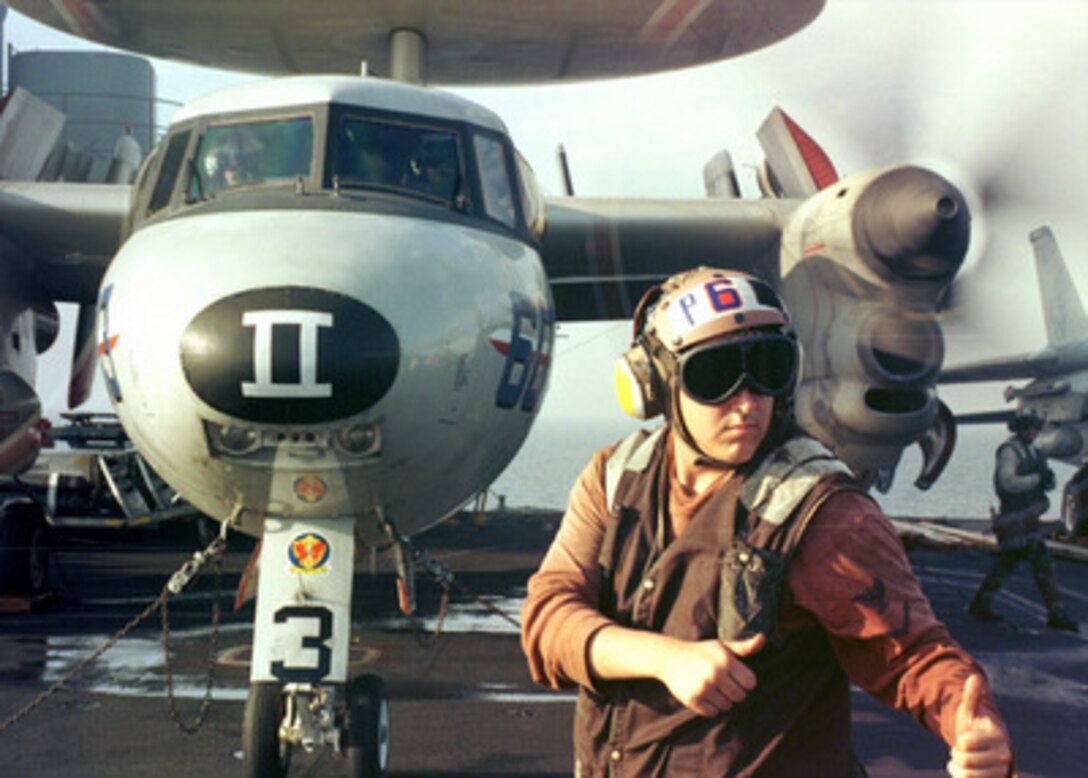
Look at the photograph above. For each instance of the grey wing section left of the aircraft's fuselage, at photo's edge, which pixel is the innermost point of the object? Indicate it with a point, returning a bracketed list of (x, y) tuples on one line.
[(61, 237)]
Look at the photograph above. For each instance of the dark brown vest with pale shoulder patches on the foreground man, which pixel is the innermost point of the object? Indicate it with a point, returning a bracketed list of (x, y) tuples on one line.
[(720, 579)]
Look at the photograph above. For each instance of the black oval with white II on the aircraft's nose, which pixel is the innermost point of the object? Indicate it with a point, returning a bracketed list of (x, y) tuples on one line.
[(290, 355)]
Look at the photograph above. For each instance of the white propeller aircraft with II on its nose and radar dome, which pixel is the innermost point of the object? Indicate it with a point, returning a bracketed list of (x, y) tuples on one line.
[(325, 312)]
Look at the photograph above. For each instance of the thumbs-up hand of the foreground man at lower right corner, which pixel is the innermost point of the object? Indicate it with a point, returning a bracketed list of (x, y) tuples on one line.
[(982, 748)]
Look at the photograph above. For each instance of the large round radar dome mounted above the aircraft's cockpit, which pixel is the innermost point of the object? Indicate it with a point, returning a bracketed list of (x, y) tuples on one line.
[(486, 42)]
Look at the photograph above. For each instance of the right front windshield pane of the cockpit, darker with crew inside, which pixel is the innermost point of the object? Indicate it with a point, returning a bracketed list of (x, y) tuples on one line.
[(388, 155)]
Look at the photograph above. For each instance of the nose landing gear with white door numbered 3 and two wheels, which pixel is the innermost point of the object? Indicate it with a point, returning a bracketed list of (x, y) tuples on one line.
[(300, 694)]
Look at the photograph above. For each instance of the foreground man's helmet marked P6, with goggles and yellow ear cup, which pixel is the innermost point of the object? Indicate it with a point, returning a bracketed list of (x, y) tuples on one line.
[(707, 332)]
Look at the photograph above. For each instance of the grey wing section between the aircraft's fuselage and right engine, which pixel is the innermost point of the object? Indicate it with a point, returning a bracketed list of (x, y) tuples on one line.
[(602, 255)]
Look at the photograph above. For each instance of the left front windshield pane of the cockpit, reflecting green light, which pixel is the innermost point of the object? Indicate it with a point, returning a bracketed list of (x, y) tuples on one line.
[(249, 154)]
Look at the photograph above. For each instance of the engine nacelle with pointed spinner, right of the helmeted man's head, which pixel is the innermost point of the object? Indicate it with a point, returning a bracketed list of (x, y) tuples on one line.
[(864, 265)]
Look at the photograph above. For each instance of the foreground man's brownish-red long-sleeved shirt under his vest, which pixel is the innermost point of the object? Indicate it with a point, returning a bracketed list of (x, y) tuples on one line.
[(849, 574)]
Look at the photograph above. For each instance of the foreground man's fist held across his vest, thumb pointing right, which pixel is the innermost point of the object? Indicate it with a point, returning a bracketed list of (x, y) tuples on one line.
[(709, 677)]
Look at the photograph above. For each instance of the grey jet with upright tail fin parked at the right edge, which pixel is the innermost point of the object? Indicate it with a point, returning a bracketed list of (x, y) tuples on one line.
[(1058, 375)]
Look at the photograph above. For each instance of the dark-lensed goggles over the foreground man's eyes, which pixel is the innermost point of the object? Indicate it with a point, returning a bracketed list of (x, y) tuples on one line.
[(765, 364)]
